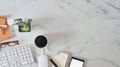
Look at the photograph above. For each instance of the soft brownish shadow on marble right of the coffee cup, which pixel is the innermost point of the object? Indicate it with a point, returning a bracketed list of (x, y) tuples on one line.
[(53, 37)]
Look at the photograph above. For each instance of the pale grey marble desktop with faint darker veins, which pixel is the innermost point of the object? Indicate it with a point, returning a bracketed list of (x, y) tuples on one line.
[(88, 29)]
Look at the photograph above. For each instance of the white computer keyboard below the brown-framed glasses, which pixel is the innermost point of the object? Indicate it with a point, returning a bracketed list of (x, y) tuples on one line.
[(16, 56)]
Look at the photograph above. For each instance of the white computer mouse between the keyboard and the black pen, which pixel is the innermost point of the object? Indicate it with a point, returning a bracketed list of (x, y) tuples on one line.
[(43, 61)]
